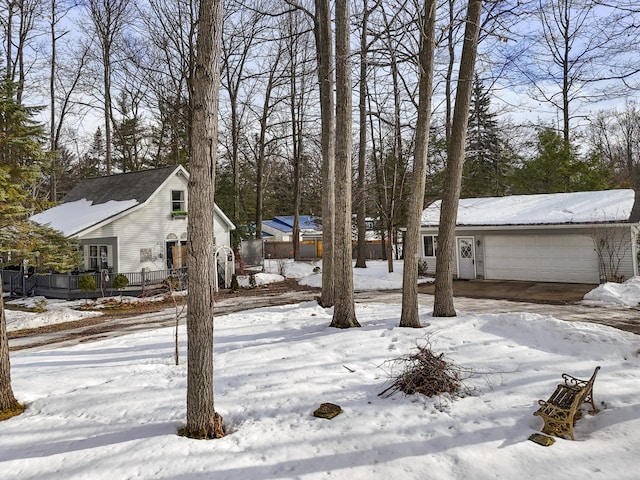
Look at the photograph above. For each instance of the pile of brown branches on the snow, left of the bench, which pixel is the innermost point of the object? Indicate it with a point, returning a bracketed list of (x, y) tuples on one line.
[(426, 373)]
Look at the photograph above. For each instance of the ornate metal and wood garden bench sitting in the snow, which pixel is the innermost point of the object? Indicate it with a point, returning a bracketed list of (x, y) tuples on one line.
[(562, 409)]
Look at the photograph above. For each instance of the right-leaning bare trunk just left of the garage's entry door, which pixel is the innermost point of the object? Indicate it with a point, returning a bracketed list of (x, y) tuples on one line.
[(443, 300)]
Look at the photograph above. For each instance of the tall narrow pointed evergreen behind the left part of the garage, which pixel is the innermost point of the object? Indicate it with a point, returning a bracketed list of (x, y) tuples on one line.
[(488, 158)]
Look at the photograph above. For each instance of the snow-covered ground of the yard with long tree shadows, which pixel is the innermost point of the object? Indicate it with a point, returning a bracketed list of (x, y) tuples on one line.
[(111, 409)]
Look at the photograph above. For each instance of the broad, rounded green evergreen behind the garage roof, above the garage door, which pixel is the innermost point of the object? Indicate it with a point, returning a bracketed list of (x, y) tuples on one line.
[(557, 168)]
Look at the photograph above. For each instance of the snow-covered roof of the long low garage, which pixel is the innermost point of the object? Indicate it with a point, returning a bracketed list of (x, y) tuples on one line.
[(542, 209)]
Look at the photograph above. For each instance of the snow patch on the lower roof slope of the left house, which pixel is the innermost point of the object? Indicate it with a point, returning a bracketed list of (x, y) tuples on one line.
[(73, 217)]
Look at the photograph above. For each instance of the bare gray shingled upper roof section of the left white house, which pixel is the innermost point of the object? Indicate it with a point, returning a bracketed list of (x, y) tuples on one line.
[(125, 186)]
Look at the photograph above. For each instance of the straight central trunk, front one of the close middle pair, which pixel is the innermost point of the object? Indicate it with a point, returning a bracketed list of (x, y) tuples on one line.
[(344, 315)]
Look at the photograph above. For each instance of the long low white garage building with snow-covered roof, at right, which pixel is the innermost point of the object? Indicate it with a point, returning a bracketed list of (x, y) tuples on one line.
[(581, 237)]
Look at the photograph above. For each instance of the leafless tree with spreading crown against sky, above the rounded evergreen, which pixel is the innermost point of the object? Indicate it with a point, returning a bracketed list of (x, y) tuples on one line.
[(581, 55)]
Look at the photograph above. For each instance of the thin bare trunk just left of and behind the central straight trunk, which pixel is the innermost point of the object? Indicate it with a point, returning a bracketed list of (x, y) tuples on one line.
[(323, 36)]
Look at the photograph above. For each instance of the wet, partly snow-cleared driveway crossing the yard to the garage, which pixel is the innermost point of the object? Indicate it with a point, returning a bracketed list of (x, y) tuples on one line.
[(563, 302)]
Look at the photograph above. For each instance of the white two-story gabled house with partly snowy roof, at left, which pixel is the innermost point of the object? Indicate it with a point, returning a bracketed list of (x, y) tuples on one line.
[(131, 221)]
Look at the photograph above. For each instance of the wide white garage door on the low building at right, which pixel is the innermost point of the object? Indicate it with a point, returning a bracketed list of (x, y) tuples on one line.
[(542, 258)]
